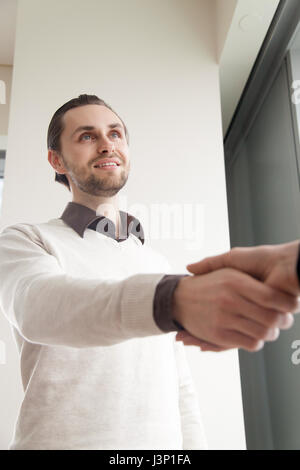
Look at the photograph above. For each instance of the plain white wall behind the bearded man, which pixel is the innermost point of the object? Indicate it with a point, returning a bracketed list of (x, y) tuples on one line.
[(155, 63)]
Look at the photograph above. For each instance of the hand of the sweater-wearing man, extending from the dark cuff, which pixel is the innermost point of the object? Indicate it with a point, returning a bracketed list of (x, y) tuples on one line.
[(229, 309)]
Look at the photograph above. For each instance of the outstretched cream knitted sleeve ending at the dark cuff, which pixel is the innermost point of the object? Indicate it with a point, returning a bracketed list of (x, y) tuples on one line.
[(48, 306)]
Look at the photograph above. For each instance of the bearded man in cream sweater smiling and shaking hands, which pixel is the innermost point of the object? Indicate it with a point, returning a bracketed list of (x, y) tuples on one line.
[(94, 313)]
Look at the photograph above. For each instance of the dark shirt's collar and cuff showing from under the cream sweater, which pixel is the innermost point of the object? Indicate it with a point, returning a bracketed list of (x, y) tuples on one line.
[(80, 218)]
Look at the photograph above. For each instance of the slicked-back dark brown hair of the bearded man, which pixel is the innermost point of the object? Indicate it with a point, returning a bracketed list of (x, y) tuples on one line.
[(56, 126)]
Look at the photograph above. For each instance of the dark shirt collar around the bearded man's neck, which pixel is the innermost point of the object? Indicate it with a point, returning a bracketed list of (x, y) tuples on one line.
[(80, 217)]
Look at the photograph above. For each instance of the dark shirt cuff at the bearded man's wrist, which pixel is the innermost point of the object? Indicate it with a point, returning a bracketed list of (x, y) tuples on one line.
[(163, 303)]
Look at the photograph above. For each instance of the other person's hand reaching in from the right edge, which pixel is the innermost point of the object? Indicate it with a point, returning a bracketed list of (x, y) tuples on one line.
[(275, 265)]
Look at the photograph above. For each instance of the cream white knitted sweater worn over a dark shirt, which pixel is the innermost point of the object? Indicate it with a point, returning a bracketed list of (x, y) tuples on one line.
[(97, 371)]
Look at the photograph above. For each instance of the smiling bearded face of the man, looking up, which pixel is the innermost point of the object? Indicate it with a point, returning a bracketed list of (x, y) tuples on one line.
[(92, 134)]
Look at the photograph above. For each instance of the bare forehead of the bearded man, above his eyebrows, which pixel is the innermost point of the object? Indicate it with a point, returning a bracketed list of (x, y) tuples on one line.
[(90, 115)]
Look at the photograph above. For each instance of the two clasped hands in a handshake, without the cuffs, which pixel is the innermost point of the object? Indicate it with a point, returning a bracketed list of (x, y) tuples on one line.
[(239, 299)]
